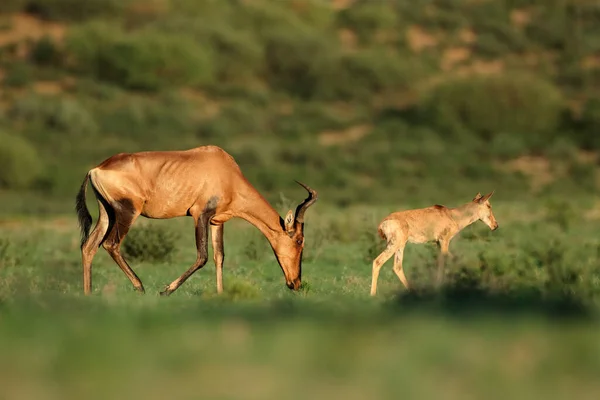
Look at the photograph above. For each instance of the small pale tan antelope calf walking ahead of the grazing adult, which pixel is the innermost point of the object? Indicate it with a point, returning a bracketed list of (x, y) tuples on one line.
[(432, 224)]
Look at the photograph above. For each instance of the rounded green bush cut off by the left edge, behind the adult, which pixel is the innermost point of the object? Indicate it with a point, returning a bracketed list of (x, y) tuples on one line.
[(20, 164)]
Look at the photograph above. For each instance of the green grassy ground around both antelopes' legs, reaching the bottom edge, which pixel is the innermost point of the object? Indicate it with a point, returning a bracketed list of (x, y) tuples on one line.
[(519, 332)]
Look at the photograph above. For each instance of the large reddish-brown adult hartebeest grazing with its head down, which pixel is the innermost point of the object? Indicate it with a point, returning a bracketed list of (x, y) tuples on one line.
[(205, 183)]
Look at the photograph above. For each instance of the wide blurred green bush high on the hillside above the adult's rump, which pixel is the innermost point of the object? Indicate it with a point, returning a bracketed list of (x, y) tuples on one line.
[(140, 60)]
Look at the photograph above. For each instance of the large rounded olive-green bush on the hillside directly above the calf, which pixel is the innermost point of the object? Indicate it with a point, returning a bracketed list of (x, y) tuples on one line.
[(486, 105)]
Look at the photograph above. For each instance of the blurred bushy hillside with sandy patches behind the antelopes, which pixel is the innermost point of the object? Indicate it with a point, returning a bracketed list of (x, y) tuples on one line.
[(378, 102)]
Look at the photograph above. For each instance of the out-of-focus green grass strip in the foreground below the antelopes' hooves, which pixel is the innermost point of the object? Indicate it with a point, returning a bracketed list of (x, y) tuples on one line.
[(70, 348)]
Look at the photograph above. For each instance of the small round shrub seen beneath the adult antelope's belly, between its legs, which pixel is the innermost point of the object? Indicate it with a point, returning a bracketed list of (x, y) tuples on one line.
[(149, 243)]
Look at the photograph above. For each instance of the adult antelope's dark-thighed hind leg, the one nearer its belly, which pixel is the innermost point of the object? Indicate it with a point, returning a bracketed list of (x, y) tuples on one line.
[(125, 214)]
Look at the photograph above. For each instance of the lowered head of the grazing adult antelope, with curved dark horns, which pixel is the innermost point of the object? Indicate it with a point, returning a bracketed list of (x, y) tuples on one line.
[(291, 242)]
